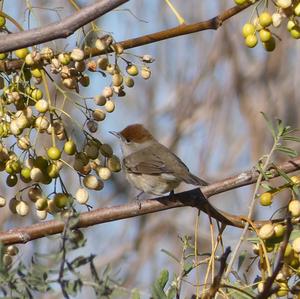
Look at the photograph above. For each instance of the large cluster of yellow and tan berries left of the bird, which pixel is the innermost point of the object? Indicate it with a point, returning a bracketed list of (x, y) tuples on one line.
[(29, 113)]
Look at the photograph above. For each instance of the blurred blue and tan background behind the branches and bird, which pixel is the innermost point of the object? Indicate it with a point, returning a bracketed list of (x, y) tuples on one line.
[(203, 100)]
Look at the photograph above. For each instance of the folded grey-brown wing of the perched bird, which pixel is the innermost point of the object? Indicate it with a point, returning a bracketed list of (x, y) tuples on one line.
[(154, 164)]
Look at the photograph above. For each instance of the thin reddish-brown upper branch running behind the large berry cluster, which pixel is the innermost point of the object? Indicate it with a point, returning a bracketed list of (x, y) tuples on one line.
[(213, 23)]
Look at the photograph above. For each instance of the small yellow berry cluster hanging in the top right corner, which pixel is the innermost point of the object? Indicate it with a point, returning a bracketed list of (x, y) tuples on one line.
[(262, 26)]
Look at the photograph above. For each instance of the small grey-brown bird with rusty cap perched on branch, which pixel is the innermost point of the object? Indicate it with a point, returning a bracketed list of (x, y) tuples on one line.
[(149, 165)]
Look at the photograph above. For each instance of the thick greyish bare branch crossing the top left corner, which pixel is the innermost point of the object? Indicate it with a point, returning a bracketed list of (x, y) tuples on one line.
[(60, 29)]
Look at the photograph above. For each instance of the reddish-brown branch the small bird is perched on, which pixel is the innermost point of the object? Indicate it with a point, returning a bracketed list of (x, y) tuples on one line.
[(192, 198)]
